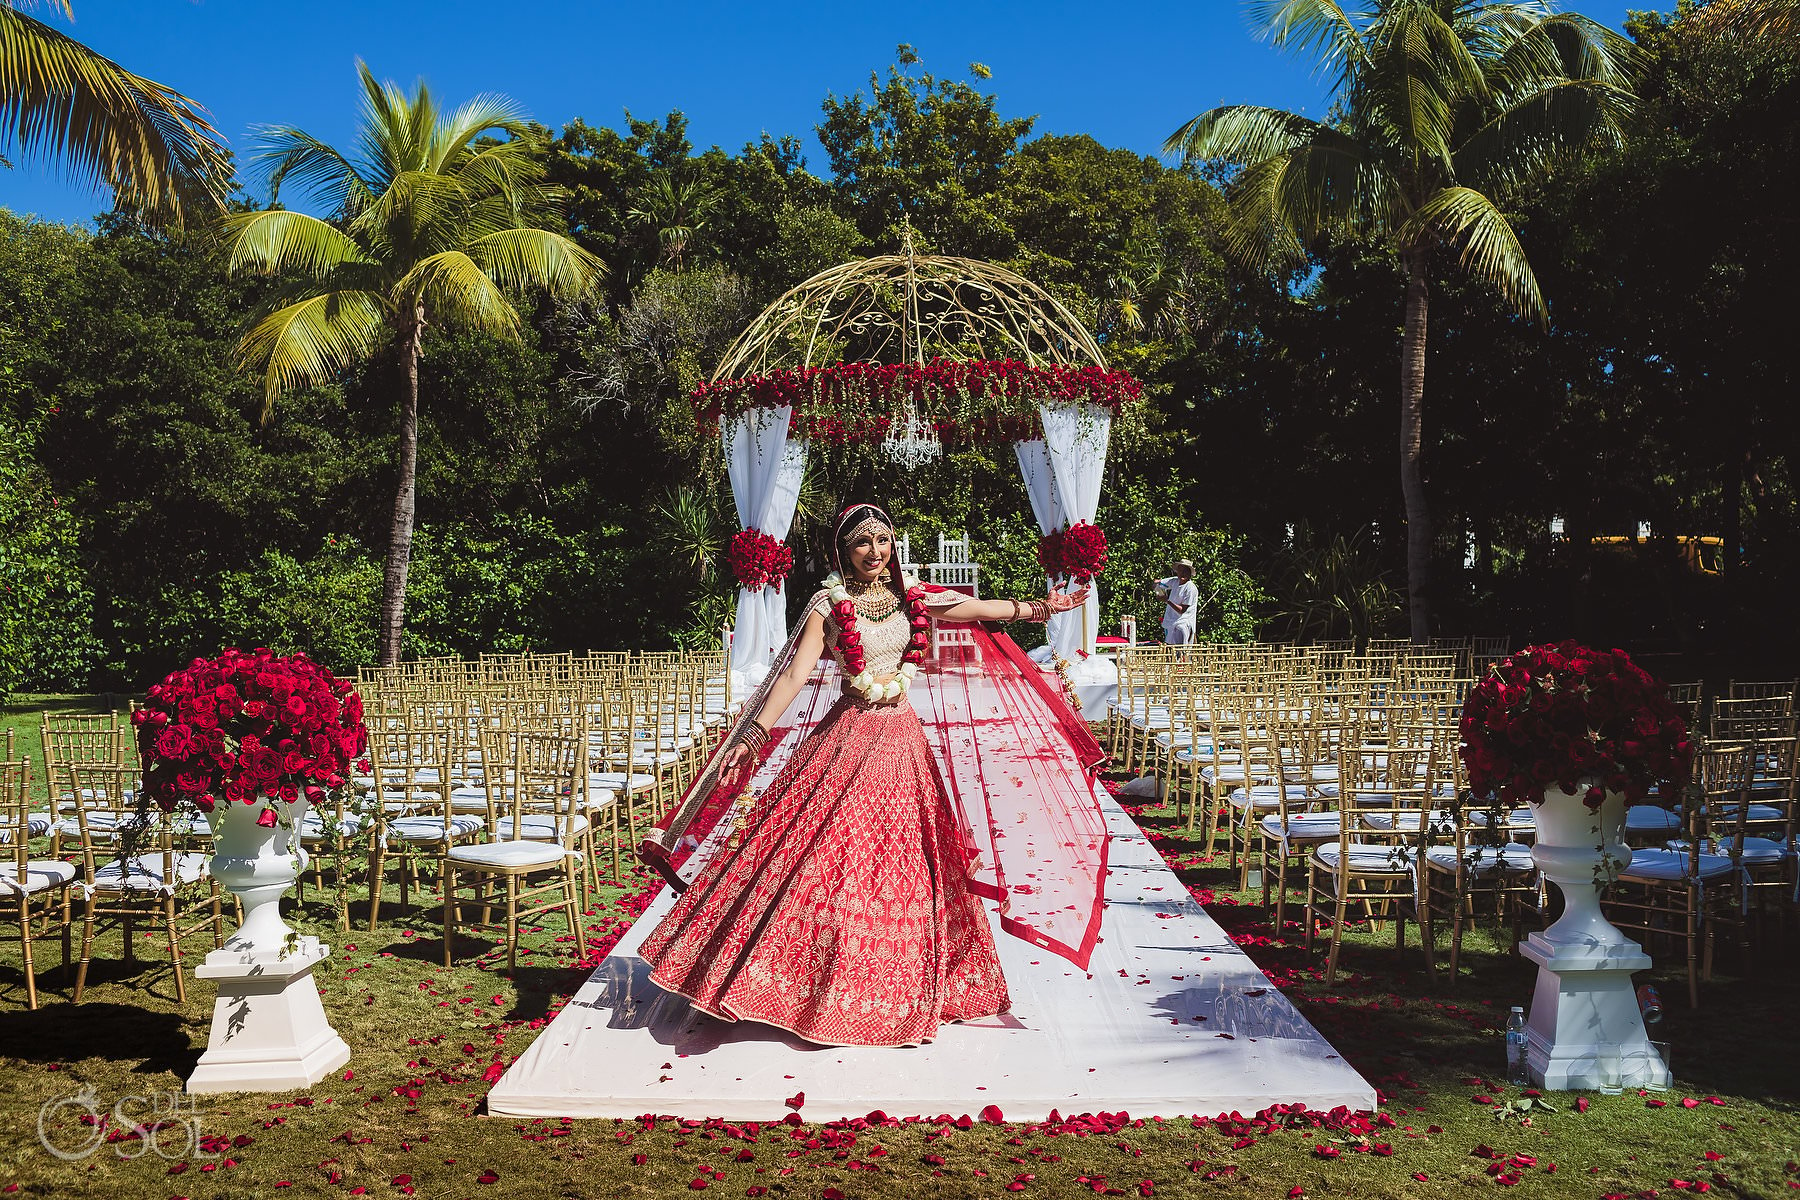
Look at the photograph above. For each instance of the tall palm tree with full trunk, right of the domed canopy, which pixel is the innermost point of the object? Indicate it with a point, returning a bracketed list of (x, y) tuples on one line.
[(1441, 109)]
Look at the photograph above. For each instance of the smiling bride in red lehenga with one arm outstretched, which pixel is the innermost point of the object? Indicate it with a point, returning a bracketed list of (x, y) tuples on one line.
[(845, 917)]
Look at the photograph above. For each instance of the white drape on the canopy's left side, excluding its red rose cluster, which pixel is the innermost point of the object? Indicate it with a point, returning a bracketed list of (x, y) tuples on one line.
[(766, 470)]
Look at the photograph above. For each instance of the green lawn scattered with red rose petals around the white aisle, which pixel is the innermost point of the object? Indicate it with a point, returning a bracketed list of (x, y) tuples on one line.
[(408, 1113)]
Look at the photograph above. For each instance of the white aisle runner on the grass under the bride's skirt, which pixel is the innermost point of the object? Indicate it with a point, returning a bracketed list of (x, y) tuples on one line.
[(1171, 1019)]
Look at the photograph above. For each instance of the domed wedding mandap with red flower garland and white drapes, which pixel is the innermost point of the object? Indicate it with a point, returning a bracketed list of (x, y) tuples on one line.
[(904, 354)]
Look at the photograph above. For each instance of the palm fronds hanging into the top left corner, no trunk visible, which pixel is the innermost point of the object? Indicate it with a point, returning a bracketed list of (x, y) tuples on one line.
[(64, 102)]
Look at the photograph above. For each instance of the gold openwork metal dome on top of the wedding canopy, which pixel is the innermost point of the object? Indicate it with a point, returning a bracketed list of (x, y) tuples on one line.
[(908, 309)]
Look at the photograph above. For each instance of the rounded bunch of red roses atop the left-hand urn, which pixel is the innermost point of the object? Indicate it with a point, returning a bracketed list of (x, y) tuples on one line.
[(244, 726)]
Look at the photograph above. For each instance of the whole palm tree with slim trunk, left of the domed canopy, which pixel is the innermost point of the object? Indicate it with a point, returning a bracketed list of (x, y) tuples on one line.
[(435, 224)]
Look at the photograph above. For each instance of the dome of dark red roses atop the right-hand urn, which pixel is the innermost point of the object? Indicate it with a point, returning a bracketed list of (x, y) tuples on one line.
[(1565, 713)]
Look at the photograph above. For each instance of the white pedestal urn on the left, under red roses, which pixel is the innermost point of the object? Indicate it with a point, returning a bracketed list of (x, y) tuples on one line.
[(269, 1028)]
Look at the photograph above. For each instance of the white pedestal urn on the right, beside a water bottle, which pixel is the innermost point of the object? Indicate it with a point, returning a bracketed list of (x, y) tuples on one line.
[(1585, 999)]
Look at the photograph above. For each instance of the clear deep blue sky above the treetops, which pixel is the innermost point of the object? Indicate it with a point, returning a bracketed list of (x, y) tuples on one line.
[(1124, 73)]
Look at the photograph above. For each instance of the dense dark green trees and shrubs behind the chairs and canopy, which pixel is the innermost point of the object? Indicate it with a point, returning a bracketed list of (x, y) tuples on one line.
[(564, 497)]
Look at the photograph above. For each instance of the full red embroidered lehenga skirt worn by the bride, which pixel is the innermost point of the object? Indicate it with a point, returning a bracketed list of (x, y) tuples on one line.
[(845, 917)]
